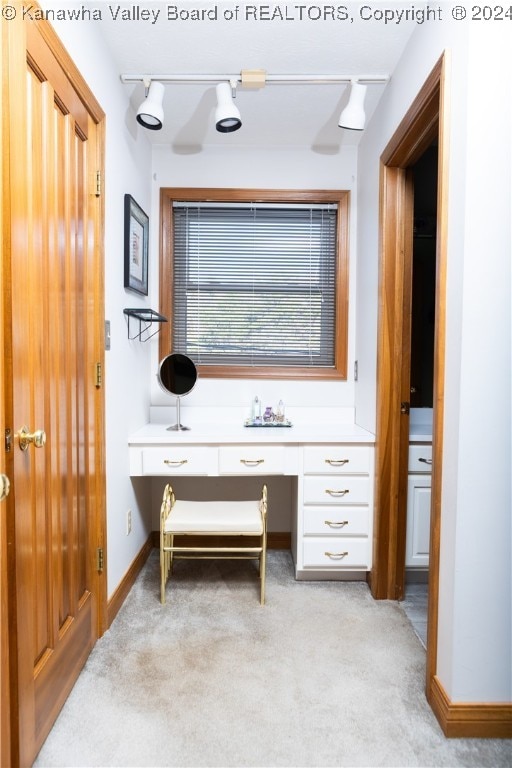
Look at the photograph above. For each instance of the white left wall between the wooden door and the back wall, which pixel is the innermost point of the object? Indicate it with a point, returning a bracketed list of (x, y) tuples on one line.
[(127, 364)]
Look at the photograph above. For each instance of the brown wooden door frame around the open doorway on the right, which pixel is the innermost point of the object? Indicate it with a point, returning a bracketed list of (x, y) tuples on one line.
[(426, 120)]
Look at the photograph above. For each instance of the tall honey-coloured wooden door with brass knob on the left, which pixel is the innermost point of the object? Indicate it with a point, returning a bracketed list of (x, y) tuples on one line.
[(56, 310)]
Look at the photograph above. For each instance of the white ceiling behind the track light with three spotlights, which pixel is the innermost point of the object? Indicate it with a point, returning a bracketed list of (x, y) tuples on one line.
[(280, 115)]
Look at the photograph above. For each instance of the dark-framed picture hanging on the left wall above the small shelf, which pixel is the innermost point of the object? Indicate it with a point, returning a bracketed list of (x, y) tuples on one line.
[(136, 232)]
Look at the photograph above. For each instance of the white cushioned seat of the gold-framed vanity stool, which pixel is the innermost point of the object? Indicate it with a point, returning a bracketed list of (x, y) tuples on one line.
[(215, 517)]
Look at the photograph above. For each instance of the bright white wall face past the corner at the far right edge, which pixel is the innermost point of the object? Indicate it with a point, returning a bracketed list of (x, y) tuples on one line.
[(484, 458)]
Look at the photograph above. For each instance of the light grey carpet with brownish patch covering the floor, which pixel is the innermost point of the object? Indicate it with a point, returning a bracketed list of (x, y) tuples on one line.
[(322, 675)]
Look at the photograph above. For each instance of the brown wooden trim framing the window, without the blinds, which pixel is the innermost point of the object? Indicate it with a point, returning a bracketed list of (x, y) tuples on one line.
[(341, 197)]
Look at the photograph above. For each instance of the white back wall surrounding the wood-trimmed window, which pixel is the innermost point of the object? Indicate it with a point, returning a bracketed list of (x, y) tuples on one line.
[(273, 168)]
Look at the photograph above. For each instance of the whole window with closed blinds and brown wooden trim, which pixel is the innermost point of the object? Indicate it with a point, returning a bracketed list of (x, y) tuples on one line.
[(254, 283)]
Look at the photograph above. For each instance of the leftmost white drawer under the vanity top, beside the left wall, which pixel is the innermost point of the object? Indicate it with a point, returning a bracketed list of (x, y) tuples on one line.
[(177, 460)]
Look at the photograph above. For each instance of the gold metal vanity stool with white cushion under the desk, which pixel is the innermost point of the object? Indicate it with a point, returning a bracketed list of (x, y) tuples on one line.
[(216, 519)]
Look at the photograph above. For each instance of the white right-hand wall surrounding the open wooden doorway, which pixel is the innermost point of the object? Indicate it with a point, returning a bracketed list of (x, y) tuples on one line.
[(474, 641)]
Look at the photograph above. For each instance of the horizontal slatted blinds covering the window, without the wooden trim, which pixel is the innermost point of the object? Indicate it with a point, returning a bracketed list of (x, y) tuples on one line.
[(255, 284)]
